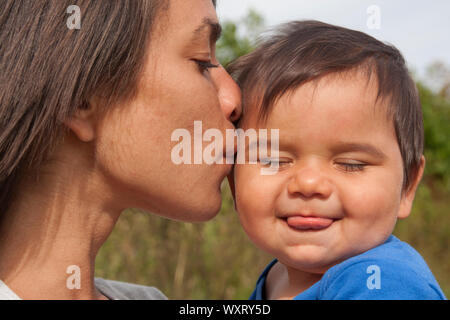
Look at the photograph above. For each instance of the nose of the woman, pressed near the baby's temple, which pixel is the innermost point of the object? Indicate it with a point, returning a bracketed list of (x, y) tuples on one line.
[(229, 94)]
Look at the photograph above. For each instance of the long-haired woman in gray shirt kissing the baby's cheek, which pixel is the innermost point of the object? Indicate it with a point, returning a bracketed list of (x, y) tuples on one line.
[(86, 121)]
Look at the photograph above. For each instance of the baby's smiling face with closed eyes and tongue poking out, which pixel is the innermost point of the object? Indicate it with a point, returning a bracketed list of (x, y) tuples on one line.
[(337, 192)]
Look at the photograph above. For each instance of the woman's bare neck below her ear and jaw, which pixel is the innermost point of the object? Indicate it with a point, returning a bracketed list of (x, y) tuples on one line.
[(56, 225)]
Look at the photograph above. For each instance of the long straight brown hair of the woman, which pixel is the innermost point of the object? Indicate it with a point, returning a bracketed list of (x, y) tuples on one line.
[(48, 70)]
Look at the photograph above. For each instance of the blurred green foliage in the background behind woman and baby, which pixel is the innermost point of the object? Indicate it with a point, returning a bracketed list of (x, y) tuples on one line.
[(215, 260)]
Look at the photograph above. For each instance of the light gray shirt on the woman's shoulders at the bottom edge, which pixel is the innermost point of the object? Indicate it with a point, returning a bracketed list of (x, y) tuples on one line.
[(114, 290)]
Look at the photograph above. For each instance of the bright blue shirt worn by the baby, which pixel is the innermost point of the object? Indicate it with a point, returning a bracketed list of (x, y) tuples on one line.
[(391, 271)]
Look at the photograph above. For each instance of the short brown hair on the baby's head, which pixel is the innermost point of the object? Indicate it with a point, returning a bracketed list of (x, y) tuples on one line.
[(302, 51)]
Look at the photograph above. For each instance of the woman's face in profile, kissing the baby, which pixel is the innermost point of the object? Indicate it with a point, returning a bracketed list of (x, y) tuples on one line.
[(133, 144)]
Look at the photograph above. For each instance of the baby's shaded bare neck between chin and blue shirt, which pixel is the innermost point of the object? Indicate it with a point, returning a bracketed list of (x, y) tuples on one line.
[(284, 283)]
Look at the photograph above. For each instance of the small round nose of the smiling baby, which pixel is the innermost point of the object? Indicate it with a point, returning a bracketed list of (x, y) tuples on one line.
[(308, 183)]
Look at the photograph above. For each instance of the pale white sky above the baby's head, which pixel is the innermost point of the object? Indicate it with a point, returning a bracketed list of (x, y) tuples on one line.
[(419, 29)]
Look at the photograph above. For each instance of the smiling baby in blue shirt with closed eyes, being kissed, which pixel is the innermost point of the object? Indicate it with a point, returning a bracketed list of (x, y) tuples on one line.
[(349, 162)]
